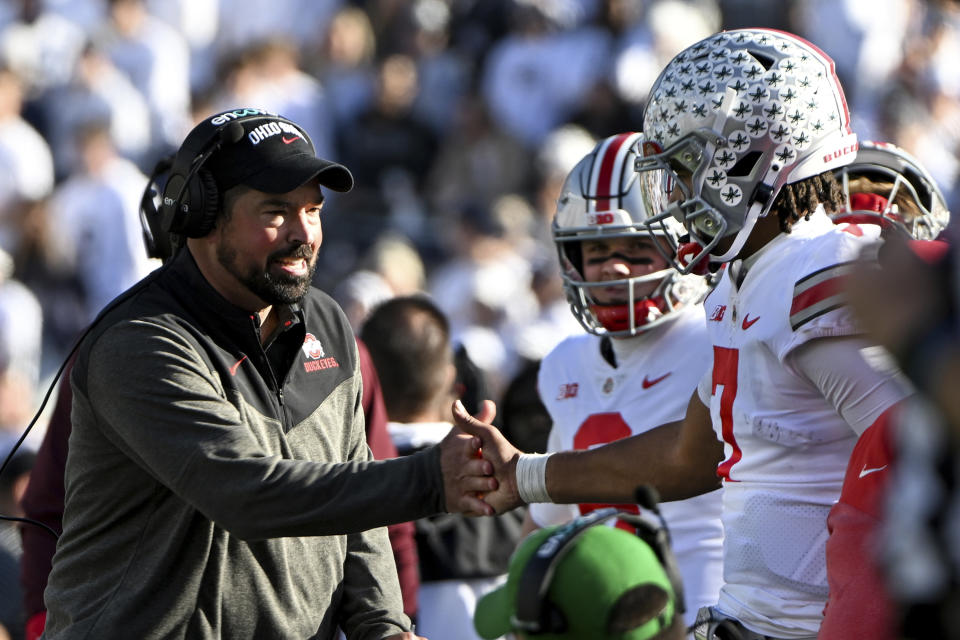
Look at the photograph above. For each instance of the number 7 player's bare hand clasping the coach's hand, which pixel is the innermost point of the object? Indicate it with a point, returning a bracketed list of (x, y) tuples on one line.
[(497, 450)]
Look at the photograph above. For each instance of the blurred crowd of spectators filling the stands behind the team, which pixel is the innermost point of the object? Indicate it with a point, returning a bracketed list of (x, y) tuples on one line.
[(458, 118)]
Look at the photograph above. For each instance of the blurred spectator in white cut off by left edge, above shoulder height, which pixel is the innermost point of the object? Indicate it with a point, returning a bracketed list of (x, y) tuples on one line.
[(26, 166)]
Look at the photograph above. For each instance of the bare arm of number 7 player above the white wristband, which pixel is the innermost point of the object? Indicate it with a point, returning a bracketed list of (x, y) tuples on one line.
[(612, 473)]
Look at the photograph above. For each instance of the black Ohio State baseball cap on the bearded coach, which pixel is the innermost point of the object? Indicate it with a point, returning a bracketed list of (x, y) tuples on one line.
[(269, 153)]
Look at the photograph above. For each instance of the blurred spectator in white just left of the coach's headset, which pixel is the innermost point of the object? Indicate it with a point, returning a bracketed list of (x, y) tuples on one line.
[(96, 217)]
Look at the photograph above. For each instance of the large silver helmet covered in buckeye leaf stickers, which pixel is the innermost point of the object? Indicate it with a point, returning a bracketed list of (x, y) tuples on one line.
[(734, 118)]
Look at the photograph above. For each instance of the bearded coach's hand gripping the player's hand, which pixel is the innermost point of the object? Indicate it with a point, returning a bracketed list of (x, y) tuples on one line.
[(466, 475)]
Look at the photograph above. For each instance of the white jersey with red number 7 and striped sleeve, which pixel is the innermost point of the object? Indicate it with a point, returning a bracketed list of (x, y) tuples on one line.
[(786, 447)]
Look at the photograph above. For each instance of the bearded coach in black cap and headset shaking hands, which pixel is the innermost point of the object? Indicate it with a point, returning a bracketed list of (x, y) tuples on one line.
[(218, 481)]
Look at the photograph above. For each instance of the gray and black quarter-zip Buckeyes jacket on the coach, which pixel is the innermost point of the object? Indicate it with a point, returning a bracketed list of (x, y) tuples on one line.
[(219, 489)]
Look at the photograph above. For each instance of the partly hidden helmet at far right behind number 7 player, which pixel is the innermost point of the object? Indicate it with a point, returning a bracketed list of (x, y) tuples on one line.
[(888, 164)]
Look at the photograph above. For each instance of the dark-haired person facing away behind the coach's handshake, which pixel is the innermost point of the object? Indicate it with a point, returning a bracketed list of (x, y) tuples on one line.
[(461, 558)]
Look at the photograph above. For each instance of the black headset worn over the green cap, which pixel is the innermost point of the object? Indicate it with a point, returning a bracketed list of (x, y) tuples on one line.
[(536, 614)]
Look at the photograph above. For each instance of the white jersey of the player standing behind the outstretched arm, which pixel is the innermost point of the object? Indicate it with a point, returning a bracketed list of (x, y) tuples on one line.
[(593, 403)]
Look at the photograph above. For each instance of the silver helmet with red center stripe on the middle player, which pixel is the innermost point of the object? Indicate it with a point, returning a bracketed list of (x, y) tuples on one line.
[(602, 197)]
